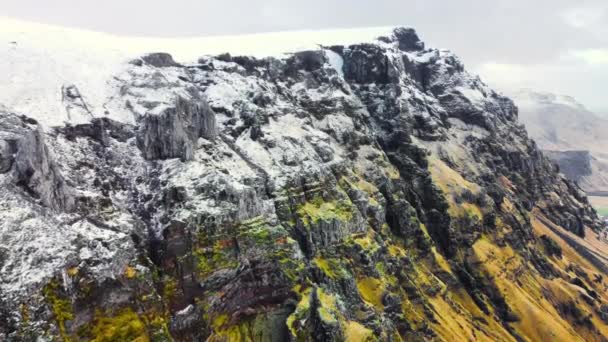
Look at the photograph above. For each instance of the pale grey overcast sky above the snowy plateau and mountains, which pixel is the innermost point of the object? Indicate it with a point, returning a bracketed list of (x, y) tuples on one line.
[(550, 45)]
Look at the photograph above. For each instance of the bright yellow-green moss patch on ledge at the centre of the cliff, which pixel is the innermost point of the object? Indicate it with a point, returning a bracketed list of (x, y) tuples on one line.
[(320, 210)]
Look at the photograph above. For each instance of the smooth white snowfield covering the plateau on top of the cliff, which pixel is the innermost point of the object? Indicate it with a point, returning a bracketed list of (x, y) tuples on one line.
[(39, 62)]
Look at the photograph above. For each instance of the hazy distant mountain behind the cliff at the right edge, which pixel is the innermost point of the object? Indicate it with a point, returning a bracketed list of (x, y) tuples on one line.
[(565, 128)]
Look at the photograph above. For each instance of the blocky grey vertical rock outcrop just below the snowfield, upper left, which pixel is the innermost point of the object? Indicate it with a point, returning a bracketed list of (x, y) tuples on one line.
[(174, 133)]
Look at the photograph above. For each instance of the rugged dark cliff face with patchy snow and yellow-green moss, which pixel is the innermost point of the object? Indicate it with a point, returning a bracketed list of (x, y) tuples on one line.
[(366, 192)]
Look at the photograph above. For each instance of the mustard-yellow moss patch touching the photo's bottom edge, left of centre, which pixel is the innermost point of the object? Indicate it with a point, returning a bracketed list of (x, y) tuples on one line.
[(126, 325)]
